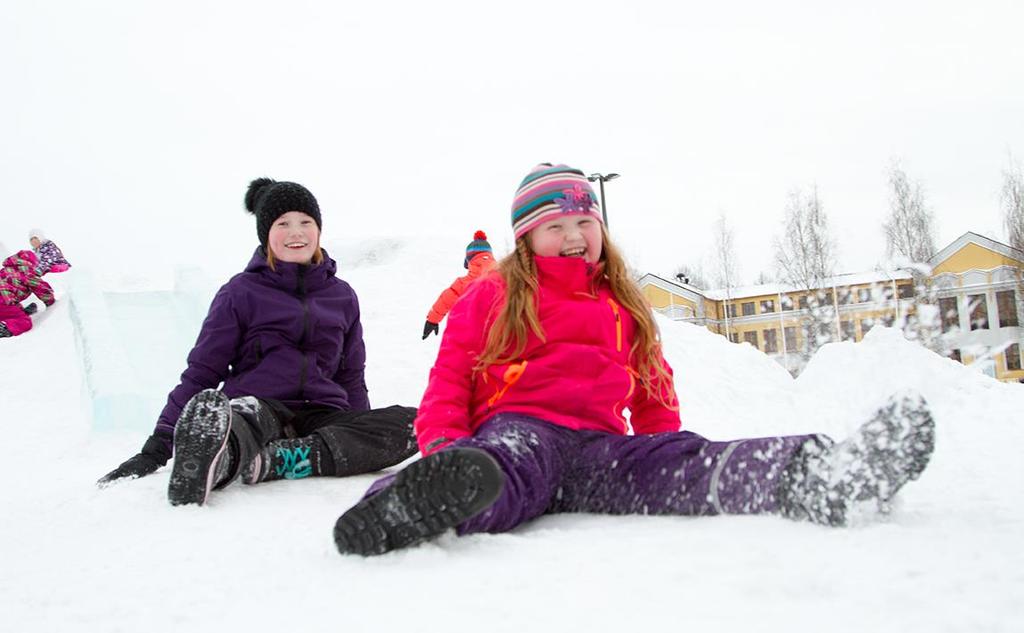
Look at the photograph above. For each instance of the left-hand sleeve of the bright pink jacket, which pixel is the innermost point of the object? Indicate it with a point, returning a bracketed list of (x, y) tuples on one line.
[(444, 415)]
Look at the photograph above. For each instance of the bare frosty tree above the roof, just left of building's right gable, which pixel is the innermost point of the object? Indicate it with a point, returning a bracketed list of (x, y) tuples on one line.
[(910, 230)]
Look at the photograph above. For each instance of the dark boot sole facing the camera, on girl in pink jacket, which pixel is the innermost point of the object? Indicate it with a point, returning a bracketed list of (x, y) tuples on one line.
[(428, 498)]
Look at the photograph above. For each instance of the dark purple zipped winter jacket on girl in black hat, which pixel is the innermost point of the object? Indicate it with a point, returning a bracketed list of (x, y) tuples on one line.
[(292, 335)]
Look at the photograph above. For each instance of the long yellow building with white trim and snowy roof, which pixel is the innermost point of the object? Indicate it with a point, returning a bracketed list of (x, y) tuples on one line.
[(976, 281)]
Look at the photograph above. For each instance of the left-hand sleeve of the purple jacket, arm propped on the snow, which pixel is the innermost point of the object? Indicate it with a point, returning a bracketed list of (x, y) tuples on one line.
[(208, 362)]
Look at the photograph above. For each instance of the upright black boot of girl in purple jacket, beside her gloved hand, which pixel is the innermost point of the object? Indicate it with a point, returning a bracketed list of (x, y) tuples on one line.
[(202, 458)]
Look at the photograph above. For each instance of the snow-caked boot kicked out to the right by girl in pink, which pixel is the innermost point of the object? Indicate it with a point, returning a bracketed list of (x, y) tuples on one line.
[(828, 484)]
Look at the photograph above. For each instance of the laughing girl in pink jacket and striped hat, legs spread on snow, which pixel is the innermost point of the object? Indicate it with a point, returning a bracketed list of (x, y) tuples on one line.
[(525, 413)]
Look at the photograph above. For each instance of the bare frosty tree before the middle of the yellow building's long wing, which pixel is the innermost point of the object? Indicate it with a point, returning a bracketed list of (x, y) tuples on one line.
[(804, 258)]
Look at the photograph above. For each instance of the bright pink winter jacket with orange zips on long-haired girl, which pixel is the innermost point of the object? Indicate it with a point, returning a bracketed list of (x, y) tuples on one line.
[(580, 377)]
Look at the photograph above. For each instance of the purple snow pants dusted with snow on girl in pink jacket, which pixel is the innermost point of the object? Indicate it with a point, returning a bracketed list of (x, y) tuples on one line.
[(551, 469)]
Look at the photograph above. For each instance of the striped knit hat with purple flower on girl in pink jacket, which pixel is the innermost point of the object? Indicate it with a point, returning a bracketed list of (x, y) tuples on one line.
[(550, 191)]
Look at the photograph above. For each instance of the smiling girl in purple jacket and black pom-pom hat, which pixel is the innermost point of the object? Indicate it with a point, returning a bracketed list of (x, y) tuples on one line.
[(284, 344)]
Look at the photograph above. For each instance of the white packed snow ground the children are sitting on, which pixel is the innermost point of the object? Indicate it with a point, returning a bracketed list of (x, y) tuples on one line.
[(75, 558)]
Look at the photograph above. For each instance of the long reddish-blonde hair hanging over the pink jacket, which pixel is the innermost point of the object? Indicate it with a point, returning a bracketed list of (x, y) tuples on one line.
[(507, 335)]
